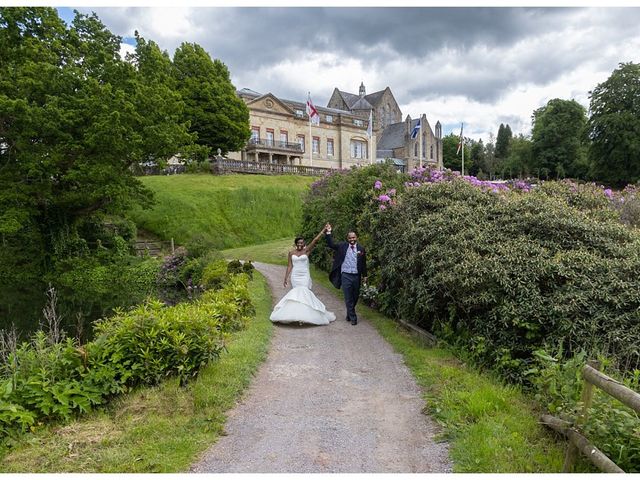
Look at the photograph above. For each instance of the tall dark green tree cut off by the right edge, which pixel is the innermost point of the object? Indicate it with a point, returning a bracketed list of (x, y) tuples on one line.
[(614, 127)]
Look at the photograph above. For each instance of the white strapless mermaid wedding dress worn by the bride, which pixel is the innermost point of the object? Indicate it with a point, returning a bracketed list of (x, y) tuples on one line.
[(300, 304)]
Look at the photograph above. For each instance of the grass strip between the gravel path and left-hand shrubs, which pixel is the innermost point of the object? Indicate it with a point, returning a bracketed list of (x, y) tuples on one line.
[(160, 429)]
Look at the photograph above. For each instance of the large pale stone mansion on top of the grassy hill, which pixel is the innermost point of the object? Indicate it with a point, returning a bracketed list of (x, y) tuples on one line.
[(280, 132)]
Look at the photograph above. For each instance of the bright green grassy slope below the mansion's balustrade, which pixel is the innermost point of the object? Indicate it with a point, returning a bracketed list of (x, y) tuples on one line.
[(228, 211)]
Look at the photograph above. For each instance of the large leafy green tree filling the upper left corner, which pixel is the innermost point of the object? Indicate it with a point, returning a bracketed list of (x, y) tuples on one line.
[(74, 118)]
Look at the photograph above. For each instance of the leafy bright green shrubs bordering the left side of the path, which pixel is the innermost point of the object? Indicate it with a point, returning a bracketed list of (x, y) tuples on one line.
[(47, 380)]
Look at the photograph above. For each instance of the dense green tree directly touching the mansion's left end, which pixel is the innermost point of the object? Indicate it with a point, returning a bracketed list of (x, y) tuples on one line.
[(218, 116)]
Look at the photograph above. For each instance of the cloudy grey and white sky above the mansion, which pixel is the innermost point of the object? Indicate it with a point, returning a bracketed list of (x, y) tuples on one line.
[(481, 66)]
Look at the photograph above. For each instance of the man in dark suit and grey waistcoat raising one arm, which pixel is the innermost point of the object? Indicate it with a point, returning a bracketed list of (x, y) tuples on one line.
[(349, 266)]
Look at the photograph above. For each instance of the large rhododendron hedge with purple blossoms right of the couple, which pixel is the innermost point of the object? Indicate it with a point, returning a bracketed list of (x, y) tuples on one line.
[(493, 269)]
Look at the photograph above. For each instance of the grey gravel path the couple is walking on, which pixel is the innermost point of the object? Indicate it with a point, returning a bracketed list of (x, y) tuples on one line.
[(328, 399)]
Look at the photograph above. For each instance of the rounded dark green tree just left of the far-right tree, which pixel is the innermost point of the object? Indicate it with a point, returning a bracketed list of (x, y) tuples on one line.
[(558, 139)]
